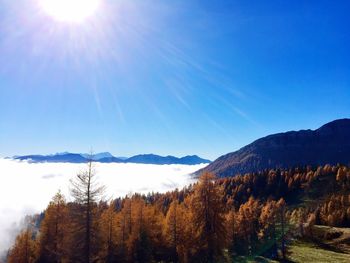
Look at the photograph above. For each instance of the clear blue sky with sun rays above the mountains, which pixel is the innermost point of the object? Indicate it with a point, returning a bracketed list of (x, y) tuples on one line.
[(170, 77)]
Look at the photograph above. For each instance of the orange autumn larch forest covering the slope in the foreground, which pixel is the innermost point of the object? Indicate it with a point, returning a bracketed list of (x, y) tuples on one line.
[(213, 220)]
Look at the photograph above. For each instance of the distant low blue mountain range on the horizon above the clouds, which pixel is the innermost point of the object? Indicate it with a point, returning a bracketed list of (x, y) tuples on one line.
[(106, 157)]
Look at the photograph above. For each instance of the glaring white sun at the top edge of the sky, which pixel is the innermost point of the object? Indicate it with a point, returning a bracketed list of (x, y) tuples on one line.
[(70, 10)]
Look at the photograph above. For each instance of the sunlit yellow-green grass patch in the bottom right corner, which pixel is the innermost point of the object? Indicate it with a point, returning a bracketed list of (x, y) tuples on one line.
[(304, 252)]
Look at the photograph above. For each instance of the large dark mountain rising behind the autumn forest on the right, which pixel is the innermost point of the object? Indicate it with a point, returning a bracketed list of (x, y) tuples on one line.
[(330, 144)]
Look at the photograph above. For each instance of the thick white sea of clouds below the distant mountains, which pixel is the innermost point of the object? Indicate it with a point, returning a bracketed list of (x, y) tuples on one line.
[(26, 188)]
